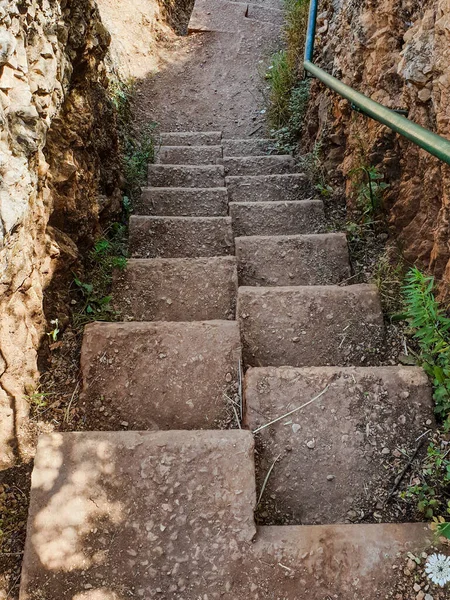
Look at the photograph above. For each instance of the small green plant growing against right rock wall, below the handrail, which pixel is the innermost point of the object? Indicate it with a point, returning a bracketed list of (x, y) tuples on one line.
[(369, 187)]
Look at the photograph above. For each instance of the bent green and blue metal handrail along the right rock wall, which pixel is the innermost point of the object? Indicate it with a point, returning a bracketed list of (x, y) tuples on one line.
[(431, 142)]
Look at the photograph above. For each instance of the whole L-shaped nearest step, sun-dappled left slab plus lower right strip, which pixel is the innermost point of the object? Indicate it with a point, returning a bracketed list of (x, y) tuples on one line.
[(170, 514)]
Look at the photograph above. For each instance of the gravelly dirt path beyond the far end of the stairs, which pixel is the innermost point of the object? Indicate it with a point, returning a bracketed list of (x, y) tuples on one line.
[(212, 80)]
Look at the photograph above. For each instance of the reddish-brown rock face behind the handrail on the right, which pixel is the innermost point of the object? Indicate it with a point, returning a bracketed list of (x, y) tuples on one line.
[(398, 53)]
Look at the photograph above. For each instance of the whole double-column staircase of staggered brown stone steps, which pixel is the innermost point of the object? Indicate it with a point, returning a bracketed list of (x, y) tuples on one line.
[(234, 314)]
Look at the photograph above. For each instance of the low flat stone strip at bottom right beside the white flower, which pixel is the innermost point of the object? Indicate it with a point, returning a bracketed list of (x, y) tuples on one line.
[(335, 562)]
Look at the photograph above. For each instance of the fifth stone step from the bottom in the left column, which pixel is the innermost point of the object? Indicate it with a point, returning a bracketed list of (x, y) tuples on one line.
[(183, 202)]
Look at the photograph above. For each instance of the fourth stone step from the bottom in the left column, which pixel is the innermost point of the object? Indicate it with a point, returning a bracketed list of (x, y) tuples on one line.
[(180, 237)]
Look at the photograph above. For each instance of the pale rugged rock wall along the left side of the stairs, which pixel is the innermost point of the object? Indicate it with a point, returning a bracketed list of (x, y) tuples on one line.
[(59, 176)]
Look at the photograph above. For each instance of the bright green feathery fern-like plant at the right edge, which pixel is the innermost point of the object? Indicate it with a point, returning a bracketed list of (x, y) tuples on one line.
[(431, 329)]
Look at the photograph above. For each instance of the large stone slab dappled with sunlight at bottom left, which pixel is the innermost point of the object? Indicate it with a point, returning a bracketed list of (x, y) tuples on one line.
[(113, 513)]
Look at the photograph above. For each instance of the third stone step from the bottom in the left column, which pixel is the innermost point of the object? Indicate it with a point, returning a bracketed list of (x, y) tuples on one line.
[(176, 289)]
